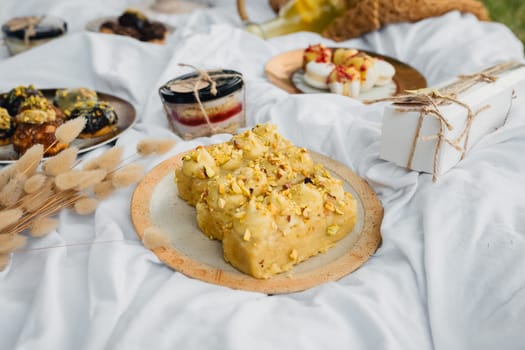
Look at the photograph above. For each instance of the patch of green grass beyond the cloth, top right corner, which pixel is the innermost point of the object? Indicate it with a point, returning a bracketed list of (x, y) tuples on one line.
[(510, 13)]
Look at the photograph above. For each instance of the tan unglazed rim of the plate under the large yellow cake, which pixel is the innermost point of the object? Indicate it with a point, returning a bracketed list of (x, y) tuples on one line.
[(366, 244)]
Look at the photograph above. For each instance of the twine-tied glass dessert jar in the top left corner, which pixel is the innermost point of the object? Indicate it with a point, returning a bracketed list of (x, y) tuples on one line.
[(23, 33)]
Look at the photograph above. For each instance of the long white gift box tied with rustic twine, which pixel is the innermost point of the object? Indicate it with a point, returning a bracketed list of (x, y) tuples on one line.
[(415, 137)]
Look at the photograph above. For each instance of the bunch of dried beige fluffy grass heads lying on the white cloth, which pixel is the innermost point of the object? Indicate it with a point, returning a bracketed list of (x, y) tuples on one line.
[(29, 197)]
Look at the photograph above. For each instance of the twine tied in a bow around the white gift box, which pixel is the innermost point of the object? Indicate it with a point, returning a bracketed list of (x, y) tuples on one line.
[(428, 102)]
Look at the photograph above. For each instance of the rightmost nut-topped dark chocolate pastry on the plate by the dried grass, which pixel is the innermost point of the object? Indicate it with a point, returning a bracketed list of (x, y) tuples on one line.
[(101, 118)]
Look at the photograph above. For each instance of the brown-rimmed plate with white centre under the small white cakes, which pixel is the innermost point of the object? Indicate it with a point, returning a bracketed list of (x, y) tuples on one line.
[(285, 71)]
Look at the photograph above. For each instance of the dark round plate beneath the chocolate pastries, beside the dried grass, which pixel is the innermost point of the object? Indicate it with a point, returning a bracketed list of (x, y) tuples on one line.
[(126, 118)]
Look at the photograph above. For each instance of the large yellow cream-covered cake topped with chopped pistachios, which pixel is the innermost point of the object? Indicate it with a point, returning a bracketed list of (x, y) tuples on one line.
[(266, 200)]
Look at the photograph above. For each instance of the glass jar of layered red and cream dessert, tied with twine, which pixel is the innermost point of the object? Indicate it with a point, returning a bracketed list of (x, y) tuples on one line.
[(198, 104)]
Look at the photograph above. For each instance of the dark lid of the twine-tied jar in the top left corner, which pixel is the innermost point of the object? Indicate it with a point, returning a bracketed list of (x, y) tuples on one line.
[(40, 27)]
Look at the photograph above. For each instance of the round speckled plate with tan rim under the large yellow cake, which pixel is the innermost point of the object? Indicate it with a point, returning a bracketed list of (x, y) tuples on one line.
[(155, 203)]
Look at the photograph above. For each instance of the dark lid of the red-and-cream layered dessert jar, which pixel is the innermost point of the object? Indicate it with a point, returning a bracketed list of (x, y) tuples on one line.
[(180, 89)]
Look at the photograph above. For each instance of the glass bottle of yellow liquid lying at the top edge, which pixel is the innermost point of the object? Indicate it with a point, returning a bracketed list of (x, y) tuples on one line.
[(299, 15)]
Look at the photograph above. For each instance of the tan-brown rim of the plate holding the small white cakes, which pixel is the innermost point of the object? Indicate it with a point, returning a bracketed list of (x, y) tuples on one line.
[(280, 70)]
